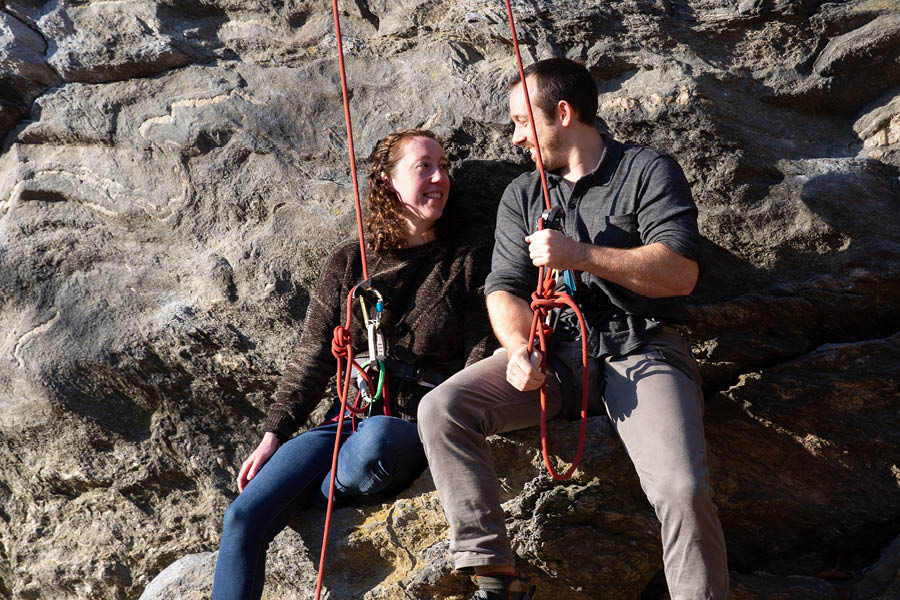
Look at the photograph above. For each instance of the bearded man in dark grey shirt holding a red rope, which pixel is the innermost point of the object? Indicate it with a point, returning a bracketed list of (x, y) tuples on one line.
[(634, 245)]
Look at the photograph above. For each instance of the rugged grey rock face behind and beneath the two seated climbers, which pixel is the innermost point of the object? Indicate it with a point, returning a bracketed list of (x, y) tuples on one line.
[(173, 173)]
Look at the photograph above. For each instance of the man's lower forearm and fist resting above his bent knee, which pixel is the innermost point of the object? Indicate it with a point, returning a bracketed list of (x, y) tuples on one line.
[(511, 319)]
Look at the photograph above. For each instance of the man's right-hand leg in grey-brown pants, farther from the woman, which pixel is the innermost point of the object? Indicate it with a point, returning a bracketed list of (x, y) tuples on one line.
[(655, 402)]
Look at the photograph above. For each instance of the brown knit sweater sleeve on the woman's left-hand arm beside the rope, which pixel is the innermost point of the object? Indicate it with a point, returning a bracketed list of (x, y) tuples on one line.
[(311, 364)]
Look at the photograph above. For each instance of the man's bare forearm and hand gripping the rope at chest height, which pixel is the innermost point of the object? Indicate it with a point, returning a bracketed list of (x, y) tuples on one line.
[(653, 270)]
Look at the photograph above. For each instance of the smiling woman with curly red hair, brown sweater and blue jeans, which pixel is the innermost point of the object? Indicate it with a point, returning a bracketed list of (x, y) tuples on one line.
[(434, 324)]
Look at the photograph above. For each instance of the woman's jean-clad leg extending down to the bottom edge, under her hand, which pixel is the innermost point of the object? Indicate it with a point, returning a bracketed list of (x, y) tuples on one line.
[(286, 483)]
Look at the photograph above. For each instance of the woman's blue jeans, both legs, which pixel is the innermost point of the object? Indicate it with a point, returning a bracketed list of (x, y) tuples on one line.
[(384, 455)]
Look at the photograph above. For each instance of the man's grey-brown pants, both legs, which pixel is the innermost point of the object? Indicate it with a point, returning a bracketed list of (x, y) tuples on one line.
[(654, 400)]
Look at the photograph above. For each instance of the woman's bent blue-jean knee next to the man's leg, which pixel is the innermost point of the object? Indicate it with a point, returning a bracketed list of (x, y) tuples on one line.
[(384, 455)]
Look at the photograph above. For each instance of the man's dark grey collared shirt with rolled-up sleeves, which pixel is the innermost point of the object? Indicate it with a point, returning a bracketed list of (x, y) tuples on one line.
[(636, 196)]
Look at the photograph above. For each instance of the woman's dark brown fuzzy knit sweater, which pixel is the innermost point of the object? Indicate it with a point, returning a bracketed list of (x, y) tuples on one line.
[(434, 317)]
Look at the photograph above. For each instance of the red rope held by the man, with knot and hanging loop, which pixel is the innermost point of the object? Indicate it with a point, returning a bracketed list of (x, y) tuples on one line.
[(546, 298)]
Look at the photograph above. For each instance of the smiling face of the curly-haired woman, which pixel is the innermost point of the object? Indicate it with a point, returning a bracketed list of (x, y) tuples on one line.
[(422, 183)]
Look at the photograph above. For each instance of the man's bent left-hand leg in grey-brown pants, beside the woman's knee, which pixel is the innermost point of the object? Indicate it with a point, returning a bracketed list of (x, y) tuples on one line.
[(454, 420)]
